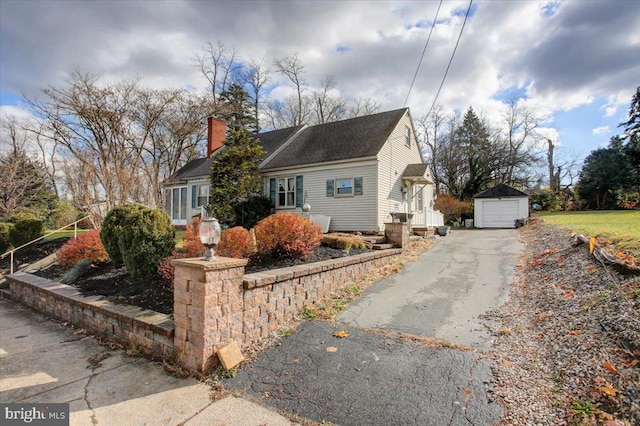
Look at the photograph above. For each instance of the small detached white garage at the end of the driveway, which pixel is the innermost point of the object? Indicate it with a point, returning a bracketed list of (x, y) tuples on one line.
[(499, 207)]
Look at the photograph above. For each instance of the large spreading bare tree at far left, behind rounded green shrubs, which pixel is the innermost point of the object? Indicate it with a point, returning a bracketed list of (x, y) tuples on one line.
[(92, 123)]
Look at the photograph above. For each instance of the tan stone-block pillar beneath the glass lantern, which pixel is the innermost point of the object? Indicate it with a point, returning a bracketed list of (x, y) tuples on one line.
[(207, 308)]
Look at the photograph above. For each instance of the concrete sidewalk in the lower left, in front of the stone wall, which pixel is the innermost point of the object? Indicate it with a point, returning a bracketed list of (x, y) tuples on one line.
[(44, 361)]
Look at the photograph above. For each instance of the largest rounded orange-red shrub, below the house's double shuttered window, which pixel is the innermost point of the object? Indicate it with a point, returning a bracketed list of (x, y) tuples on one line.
[(287, 236)]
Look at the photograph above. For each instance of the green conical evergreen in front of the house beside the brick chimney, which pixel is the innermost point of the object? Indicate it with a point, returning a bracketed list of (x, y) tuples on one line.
[(235, 175)]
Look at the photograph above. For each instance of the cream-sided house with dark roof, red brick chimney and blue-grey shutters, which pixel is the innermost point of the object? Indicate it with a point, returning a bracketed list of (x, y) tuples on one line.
[(356, 171)]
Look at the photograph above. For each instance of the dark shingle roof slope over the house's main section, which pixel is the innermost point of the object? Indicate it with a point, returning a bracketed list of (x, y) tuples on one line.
[(341, 140)]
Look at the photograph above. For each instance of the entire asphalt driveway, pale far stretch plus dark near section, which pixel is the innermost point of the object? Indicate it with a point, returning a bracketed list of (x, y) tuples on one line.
[(381, 378)]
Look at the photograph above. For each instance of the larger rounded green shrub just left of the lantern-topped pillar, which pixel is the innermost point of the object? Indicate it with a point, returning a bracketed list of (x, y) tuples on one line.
[(147, 237)]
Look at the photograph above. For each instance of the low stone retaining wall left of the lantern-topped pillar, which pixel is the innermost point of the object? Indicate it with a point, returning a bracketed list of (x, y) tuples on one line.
[(148, 332)]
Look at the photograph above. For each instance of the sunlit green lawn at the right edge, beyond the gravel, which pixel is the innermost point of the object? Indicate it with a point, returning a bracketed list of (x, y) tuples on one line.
[(620, 228)]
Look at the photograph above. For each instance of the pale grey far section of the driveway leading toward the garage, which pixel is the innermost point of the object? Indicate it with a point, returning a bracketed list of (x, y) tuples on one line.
[(443, 293)]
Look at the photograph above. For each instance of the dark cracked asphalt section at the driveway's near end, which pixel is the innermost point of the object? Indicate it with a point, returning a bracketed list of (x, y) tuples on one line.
[(370, 379)]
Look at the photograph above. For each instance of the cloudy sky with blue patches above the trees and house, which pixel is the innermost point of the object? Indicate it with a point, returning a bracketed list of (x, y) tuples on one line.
[(575, 62)]
